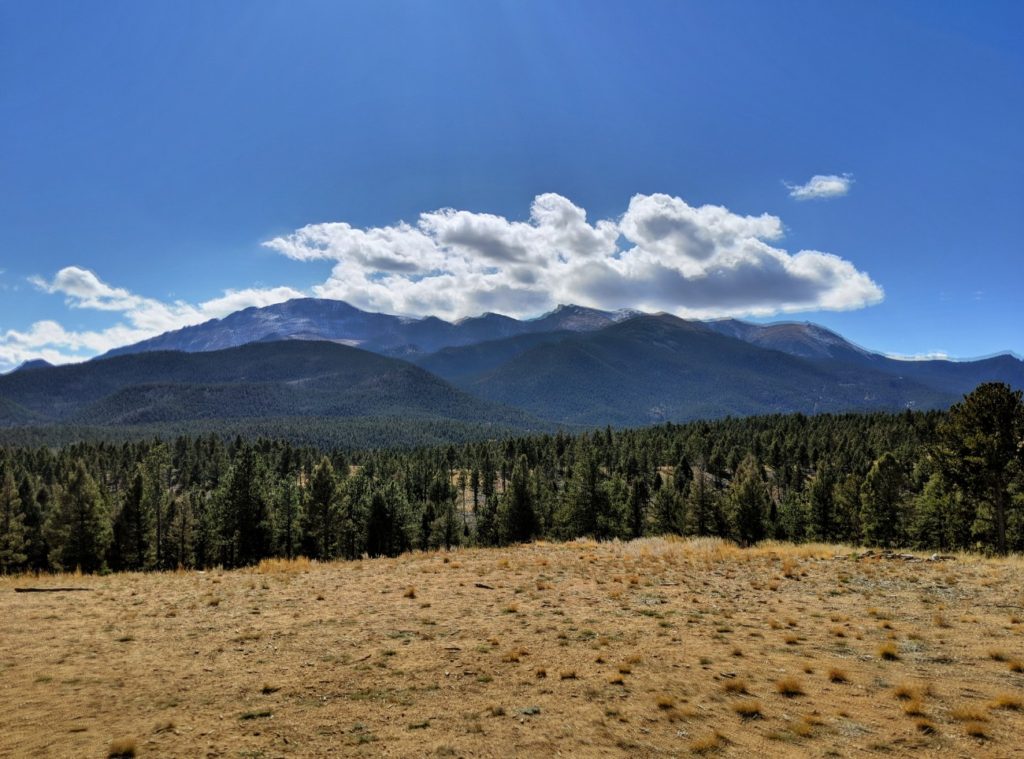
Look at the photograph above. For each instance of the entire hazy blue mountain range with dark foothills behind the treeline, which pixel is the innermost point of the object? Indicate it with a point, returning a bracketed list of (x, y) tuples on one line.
[(330, 362)]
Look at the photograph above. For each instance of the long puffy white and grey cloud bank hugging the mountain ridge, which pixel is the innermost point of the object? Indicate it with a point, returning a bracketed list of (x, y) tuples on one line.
[(662, 255)]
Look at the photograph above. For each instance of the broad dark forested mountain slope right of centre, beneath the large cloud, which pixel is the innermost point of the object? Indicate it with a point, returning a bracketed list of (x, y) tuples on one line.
[(651, 369)]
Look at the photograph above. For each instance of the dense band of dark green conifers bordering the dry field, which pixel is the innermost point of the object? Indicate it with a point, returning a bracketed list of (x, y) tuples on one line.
[(930, 481)]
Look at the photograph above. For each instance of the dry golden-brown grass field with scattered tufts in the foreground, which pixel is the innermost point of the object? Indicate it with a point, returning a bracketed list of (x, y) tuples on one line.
[(655, 648)]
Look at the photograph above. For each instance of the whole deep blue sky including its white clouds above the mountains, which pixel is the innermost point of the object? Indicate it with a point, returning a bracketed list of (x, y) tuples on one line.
[(166, 162)]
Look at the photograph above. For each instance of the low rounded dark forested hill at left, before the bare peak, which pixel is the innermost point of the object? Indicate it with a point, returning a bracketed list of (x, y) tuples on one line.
[(170, 392)]
